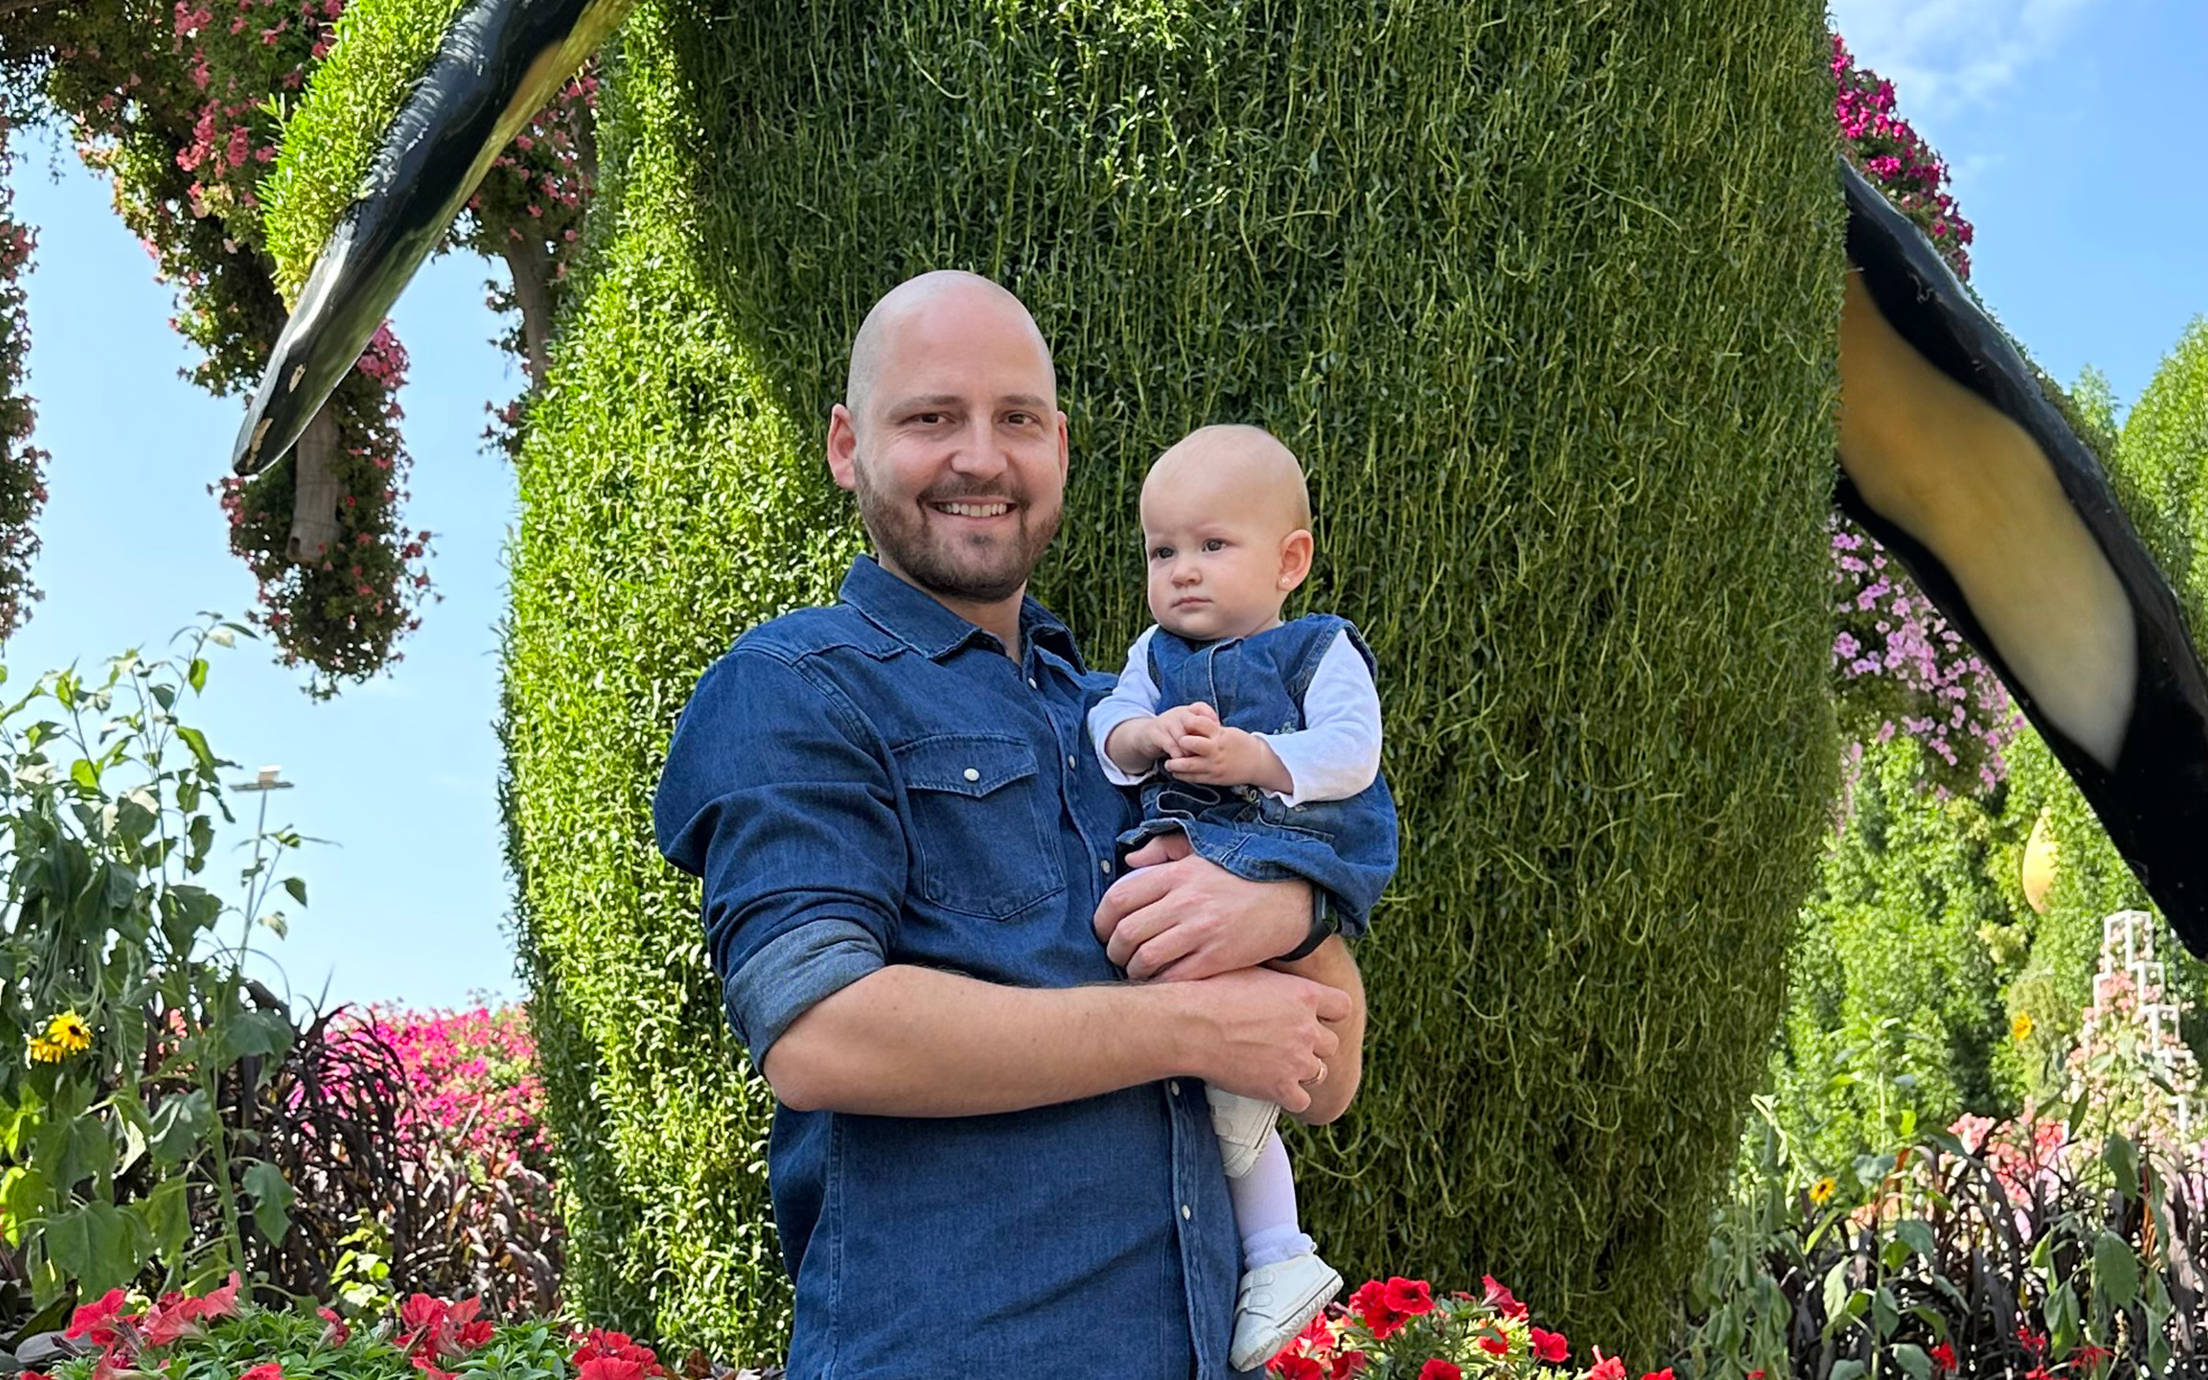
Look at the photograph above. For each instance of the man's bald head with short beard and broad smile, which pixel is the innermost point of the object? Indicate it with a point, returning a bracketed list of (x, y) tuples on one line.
[(953, 438)]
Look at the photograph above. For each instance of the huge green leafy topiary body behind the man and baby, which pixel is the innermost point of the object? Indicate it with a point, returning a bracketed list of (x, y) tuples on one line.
[(1547, 301)]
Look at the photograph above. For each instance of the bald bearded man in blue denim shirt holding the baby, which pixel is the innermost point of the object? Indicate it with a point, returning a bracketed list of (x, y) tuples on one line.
[(990, 1154)]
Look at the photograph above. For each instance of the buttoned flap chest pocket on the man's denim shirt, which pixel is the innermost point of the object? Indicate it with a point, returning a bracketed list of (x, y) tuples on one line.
[(984, 822)]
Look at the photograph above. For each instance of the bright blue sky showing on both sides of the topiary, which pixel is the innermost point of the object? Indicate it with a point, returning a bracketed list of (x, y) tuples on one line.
[(2063, 123)]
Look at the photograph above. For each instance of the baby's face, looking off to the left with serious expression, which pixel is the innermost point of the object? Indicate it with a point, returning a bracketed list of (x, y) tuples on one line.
[(1216, 542)]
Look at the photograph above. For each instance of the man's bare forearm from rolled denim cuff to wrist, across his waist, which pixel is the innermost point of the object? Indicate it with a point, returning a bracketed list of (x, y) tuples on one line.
[(922, 1043)]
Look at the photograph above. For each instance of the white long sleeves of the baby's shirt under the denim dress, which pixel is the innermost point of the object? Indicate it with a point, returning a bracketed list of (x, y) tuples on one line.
[(1335, 756)]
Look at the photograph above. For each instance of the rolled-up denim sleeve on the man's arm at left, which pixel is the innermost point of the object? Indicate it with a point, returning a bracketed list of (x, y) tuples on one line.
[(778, 800)]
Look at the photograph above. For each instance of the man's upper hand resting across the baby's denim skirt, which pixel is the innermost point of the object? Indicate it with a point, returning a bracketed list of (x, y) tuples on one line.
[(1185, 917)]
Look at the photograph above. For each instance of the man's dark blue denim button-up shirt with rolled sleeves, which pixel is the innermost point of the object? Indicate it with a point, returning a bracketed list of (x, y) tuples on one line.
[(878, 783)]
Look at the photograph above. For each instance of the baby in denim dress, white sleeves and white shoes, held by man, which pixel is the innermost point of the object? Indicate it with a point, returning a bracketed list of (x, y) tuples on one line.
[(1271, 745)]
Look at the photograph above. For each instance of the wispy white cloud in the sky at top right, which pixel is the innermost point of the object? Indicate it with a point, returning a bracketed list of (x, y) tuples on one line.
[(1949, 56)]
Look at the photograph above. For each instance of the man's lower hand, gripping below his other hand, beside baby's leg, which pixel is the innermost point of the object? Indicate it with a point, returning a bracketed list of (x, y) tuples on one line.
[(1264, 1034)]
